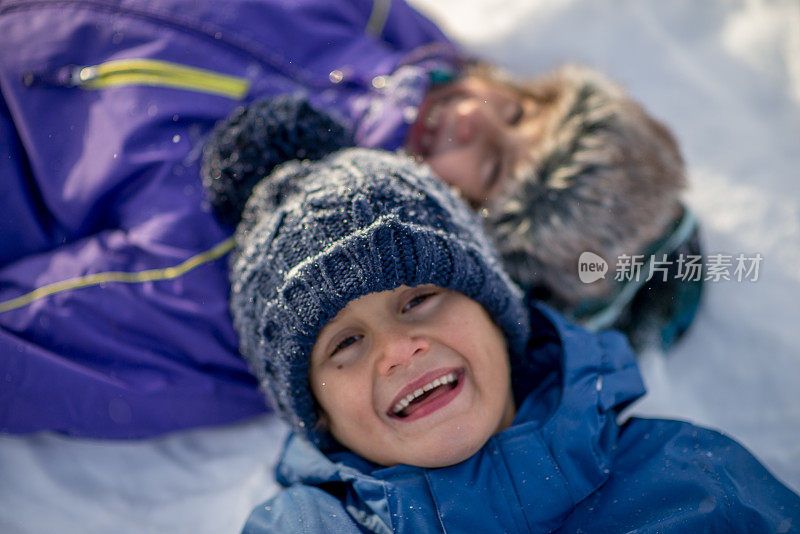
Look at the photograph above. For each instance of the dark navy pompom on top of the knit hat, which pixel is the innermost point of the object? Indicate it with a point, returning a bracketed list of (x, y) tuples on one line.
[(245, 147)]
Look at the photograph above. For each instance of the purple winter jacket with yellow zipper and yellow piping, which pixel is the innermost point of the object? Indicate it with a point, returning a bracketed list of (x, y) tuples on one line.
[(113, 285)]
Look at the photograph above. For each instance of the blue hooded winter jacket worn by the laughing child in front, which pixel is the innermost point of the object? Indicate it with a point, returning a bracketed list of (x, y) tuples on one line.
[(564, 465)]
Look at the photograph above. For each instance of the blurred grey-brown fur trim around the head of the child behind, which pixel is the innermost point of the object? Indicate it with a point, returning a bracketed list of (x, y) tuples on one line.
[(606, 178)]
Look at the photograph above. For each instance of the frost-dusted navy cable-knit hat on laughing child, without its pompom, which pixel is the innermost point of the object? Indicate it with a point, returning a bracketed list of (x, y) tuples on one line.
[(317, 235)]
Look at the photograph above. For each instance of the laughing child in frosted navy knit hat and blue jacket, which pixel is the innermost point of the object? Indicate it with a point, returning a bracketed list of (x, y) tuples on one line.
[(424, 393)]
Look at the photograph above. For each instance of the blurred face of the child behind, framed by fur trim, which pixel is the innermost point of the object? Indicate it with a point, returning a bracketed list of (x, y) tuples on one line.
[(475, 134)]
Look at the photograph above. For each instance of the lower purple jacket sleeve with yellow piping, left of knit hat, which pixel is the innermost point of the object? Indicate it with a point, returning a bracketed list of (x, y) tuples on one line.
[(121, 356)]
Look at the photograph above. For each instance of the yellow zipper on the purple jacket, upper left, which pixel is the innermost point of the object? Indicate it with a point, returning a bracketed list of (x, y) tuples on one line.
[(150, 72)]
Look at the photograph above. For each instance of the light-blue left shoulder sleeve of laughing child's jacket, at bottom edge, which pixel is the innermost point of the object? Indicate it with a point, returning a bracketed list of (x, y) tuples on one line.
[(301, 509)]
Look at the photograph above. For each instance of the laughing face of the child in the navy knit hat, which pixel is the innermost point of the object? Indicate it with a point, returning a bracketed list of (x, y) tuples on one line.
[(418, 376)]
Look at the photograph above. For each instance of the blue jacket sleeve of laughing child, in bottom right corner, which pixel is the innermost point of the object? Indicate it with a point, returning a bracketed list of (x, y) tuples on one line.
[(671, 476)]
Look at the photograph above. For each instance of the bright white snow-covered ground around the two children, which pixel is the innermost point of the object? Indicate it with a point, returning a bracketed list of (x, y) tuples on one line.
[(725, 76)]
